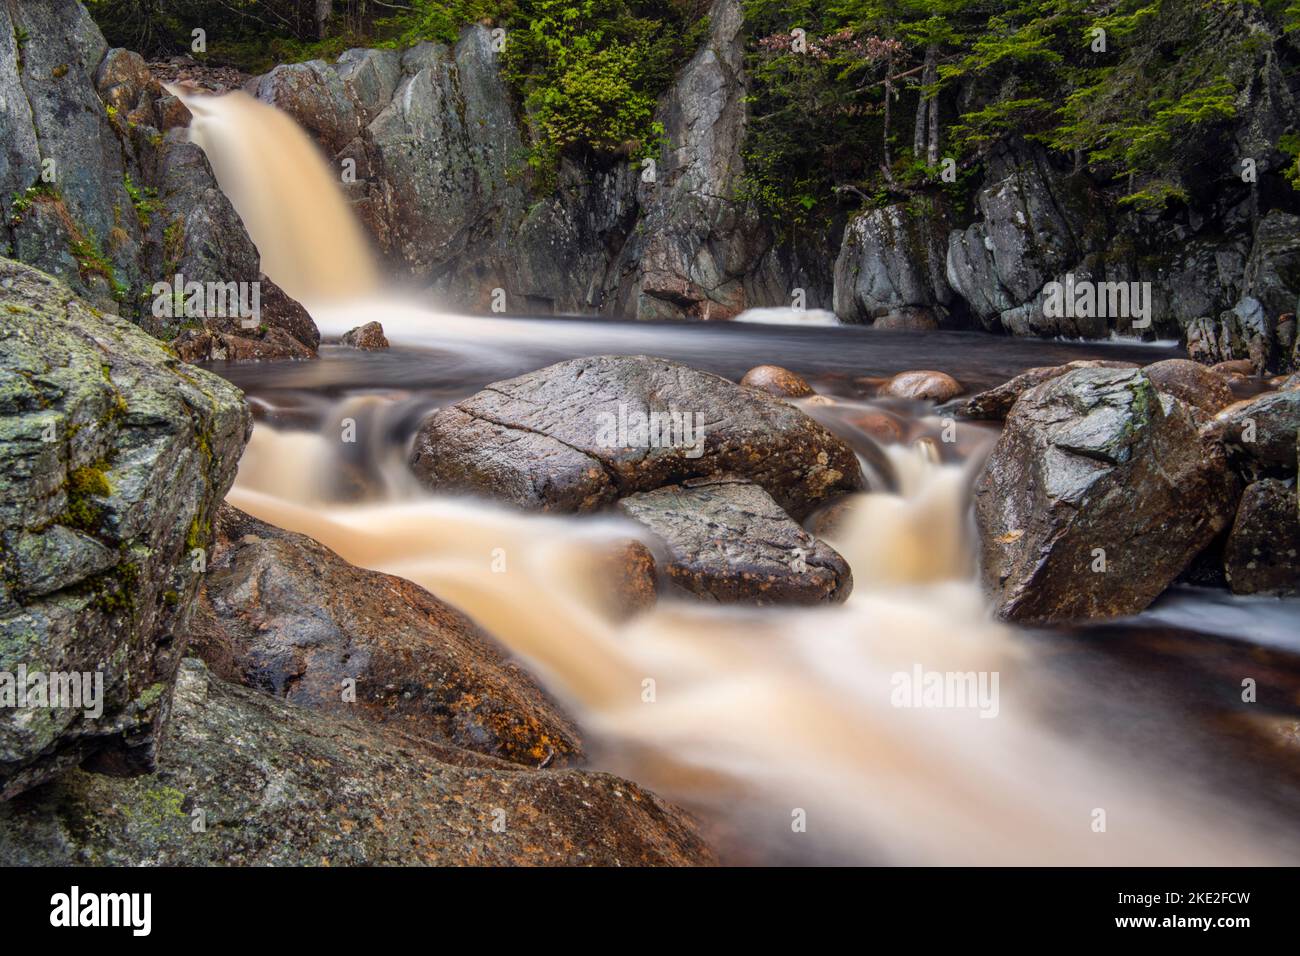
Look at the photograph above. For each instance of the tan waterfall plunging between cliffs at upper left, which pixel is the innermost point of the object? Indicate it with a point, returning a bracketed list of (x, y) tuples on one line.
[(287, 194)]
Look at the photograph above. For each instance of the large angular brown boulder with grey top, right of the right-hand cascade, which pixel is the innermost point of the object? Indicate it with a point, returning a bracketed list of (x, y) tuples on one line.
[(1097, 460)]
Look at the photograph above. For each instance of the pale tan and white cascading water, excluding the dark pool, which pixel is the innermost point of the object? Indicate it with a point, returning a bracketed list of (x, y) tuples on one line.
[(756, 717)]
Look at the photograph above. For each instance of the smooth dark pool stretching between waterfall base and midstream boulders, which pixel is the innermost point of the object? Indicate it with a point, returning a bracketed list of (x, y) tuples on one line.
[(833, 357)]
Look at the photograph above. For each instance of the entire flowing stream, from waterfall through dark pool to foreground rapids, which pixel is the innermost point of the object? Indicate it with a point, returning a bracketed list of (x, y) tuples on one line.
[(762, 721)]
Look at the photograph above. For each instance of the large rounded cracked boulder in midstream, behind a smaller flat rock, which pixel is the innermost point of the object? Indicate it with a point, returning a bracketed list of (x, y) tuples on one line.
[(575, 438)]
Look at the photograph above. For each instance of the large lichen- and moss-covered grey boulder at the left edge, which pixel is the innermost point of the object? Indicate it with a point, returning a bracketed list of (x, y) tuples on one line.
[(115, 457)]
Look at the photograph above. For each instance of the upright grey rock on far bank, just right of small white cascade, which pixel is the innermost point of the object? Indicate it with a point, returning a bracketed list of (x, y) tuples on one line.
[(892, 266)]
